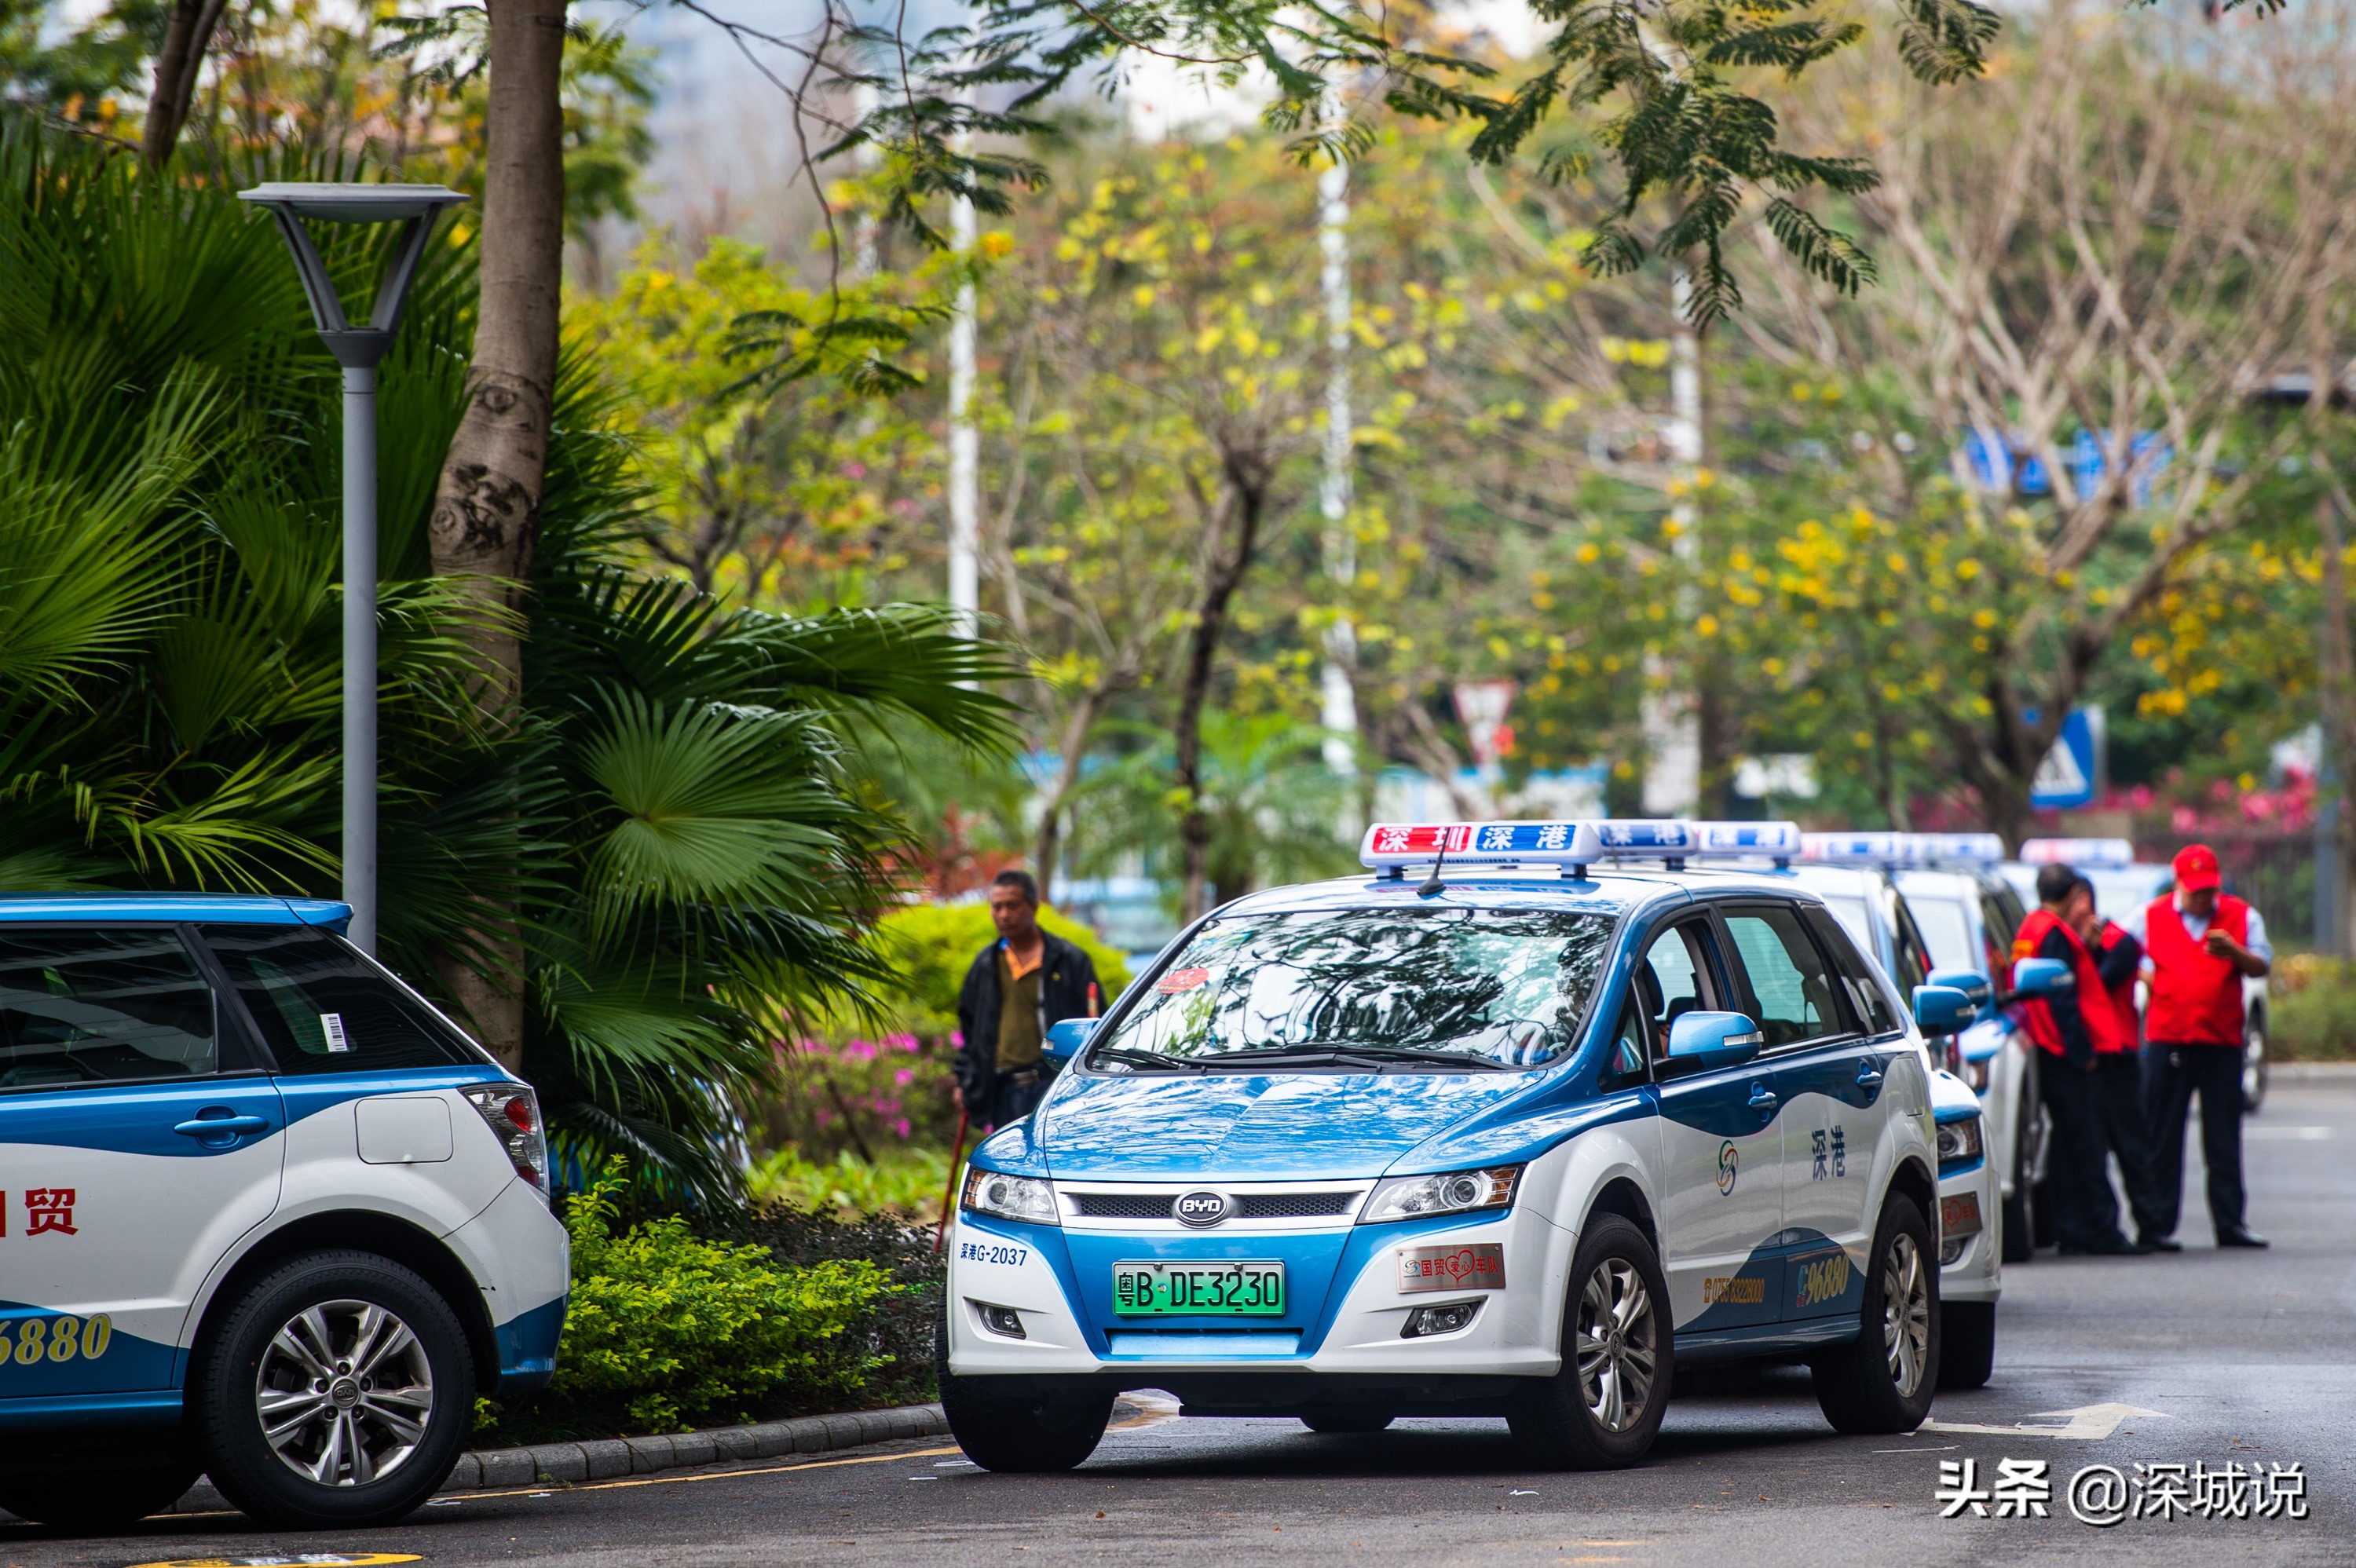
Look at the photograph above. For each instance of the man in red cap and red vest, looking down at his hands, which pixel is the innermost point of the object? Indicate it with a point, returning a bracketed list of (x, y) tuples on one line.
[(2199, 945)]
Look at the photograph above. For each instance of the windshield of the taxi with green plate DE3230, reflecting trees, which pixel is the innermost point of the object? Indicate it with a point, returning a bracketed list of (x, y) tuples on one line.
[(1429, 988)]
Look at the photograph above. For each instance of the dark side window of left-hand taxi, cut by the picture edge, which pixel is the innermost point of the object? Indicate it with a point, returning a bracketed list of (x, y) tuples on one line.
[(102, 1006)]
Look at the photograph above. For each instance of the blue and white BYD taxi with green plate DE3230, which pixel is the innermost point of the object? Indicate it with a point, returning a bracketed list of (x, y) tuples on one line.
[(1509, 1127)]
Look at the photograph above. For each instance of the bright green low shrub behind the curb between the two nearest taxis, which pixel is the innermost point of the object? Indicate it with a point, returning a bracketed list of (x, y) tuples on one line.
[(668, 1327)]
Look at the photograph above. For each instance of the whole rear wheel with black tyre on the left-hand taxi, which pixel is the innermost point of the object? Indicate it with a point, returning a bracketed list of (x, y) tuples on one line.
[(355, 1447)]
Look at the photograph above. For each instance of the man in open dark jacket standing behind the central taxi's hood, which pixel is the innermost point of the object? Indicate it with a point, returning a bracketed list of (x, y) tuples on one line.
[(1017, 990)]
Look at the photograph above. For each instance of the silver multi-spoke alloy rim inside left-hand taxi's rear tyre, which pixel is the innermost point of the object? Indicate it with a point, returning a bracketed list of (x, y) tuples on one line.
[(345, 1393)]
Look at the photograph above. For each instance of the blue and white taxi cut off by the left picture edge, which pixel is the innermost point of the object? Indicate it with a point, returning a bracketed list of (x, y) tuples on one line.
[(265, 1216)]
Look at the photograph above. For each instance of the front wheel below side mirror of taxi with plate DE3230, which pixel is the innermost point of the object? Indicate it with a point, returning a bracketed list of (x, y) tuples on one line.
[(1606, 1407)]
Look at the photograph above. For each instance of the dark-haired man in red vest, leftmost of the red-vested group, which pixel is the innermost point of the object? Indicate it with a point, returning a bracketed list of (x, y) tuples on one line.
[(2074, 1028)]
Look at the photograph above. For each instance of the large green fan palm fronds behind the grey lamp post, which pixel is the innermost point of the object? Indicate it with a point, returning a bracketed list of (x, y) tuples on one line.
[(677, 811)]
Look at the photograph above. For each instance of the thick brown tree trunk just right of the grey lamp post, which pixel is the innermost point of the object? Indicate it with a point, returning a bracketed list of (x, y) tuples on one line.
[(487, 507)]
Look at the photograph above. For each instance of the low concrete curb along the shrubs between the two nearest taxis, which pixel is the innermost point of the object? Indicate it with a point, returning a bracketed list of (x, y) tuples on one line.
[(618, 1459)]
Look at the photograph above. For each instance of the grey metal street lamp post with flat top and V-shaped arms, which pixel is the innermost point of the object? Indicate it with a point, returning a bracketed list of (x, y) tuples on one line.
[(359, 352)]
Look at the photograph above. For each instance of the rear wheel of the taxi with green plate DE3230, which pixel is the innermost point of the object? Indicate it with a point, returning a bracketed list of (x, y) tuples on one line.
[(1886, 1378)]
